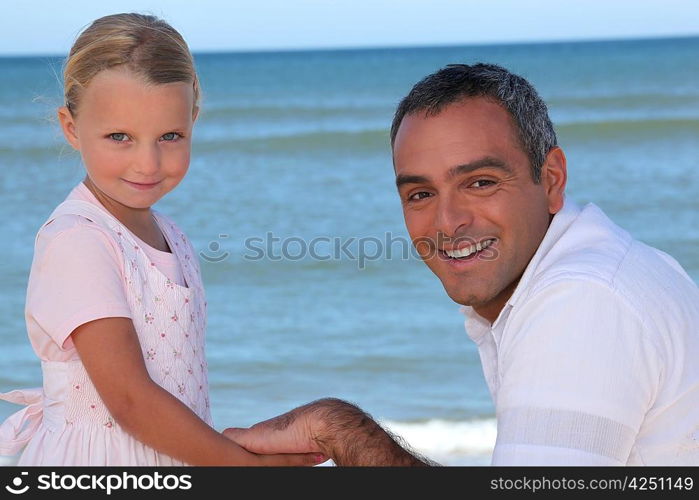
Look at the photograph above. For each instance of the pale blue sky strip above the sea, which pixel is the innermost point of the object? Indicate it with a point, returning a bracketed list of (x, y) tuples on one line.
[(49, 27)]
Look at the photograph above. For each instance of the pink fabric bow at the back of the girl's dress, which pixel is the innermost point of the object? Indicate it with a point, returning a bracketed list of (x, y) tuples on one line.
[(18, 429)]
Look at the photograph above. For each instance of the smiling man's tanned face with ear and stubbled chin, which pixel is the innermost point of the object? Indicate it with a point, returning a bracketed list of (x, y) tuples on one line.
[(473, 212)]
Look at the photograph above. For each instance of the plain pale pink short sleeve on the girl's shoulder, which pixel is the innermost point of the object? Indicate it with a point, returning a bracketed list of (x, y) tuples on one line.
[(76, 278)]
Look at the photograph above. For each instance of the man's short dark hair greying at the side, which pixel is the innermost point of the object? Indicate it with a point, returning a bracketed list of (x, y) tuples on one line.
[(456, 82)]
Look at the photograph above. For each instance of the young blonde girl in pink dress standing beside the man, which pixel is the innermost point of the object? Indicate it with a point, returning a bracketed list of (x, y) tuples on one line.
[(115, 305)]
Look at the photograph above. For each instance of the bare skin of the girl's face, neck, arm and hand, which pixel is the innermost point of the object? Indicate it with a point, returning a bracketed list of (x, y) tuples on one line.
[(135, 138)]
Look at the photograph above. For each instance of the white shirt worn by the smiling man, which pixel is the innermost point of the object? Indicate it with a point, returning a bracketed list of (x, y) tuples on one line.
[(594, 360)]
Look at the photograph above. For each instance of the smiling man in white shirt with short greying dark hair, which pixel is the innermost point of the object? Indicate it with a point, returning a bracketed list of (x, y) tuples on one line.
[(589, 339)]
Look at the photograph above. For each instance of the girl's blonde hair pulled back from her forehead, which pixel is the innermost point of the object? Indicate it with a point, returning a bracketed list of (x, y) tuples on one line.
[(145, 44)]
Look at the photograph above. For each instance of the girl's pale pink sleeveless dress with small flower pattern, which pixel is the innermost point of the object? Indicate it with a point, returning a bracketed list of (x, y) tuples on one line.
[(65, 422)]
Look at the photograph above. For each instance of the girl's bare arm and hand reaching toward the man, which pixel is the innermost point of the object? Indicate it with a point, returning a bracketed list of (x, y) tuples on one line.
[(110, 350)]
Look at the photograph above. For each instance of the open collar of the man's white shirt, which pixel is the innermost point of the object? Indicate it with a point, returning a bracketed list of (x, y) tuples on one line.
[(477, 325)]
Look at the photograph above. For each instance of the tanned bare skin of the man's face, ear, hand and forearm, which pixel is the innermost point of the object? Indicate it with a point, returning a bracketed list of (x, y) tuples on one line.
[(463, 178)]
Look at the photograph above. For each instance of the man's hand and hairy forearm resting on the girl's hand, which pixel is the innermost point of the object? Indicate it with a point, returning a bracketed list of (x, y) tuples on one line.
[(331, 427)]
